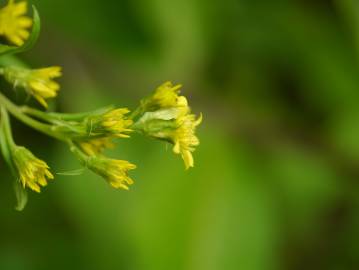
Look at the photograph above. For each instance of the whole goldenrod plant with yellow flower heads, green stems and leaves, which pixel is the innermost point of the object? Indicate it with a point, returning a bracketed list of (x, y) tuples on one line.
[(164, 115)]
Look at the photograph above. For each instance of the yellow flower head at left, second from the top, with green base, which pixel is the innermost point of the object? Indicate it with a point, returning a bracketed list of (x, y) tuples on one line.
[(37, 82)]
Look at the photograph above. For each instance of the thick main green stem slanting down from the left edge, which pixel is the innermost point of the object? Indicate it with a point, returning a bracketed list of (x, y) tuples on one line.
[(16, 112)]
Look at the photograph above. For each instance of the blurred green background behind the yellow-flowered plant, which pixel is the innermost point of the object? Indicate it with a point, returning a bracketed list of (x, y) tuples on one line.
[(275, 184)]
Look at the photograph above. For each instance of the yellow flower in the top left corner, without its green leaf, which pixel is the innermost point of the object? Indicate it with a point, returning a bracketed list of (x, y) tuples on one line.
[(13, 22)]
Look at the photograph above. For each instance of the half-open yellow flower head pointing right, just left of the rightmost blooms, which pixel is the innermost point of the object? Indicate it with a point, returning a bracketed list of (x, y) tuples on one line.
[(112, 123)]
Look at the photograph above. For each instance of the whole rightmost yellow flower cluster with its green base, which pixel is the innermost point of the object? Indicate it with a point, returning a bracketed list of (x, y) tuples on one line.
[(168, 117)]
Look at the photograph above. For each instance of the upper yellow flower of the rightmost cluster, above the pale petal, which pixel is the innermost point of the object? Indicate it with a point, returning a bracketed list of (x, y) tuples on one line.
[(165, 96)]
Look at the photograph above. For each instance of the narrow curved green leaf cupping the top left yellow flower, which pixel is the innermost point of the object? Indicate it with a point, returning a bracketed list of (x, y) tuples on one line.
[(30, 42)]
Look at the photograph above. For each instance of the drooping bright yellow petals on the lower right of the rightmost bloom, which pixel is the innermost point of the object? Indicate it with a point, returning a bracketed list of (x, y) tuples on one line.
[(184, 137)]
